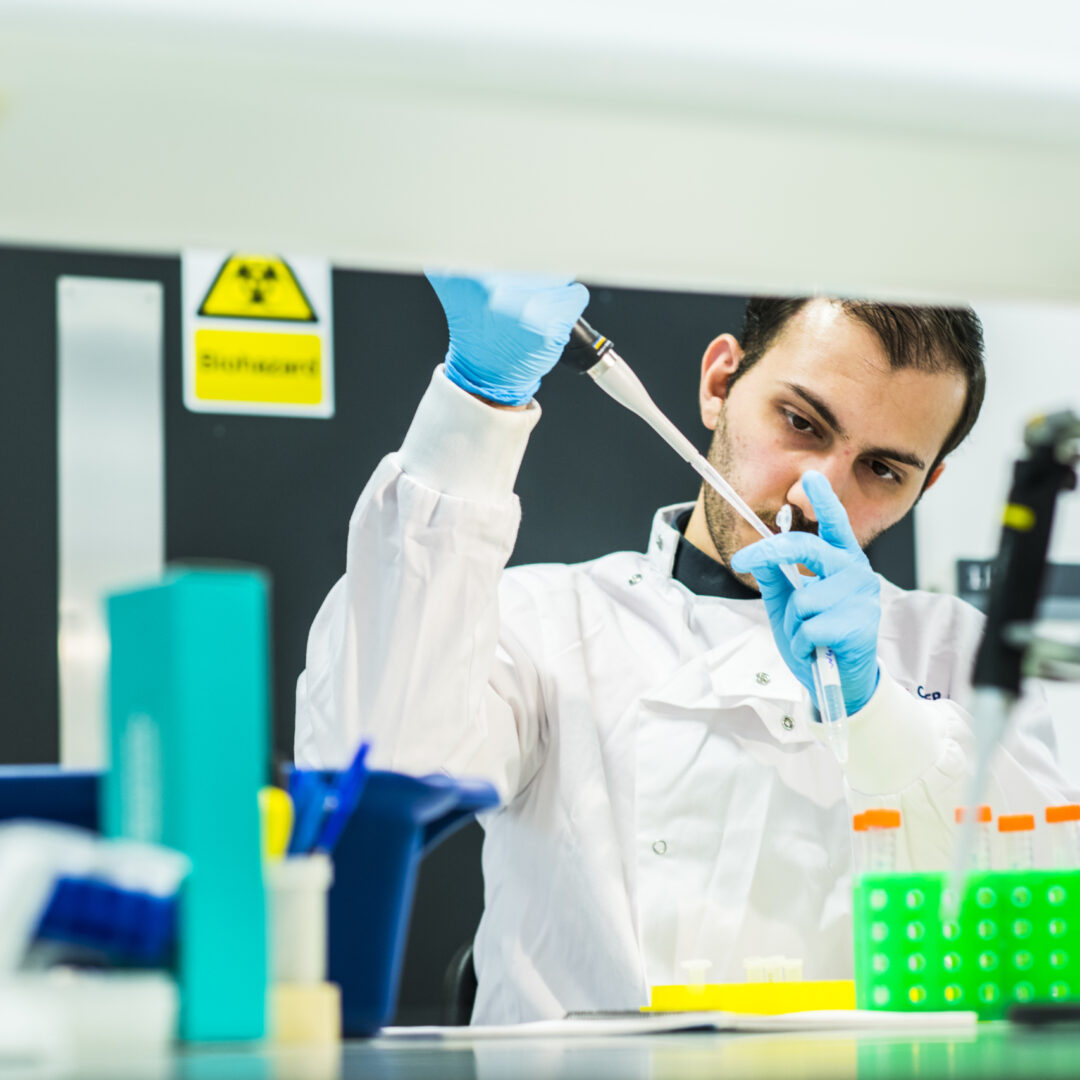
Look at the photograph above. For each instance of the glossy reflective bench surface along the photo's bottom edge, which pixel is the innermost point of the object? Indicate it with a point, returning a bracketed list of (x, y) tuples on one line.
[(997, 1050)]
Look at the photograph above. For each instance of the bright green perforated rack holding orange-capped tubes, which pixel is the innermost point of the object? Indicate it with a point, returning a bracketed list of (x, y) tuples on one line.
[(1016, 940)]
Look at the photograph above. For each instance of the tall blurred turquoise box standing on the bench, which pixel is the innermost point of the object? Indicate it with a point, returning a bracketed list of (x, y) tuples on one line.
[(188, 746)]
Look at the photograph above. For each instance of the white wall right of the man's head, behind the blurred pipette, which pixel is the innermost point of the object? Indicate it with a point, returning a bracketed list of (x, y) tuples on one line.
[(1033, 366)]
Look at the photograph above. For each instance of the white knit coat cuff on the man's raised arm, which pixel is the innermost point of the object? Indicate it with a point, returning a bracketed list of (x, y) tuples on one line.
[(463, 448)]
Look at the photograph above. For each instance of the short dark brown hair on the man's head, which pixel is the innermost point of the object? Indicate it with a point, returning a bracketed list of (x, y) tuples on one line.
[(931, 340)]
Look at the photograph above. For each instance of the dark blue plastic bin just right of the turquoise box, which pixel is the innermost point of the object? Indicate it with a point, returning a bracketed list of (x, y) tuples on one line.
[(399, 819)]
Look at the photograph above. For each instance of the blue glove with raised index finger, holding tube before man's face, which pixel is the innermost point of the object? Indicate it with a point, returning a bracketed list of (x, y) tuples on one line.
[(840, 610)]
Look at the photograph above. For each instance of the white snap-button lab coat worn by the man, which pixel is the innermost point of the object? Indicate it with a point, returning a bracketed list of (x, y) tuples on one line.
[(666, 796)]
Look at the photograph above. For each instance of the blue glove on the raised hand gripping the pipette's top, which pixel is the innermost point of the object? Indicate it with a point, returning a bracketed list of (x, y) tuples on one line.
[(507, 331)]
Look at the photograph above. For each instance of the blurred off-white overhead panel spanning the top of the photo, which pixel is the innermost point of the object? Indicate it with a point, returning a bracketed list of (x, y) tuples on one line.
[(922, 150)]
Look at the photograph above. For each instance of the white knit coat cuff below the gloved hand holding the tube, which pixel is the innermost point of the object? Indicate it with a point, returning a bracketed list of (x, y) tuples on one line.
[(894, 740)]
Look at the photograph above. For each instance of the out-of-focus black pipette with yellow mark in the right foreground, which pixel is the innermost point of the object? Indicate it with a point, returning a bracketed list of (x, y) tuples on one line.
[(1052, 444)]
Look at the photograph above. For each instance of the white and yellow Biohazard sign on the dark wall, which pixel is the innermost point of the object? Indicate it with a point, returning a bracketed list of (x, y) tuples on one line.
[(258, 334)]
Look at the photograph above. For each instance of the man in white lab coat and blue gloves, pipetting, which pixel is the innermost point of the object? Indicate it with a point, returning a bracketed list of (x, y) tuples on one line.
[(649, 721)]
